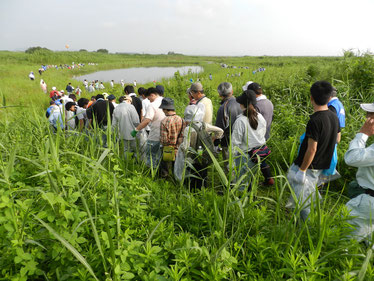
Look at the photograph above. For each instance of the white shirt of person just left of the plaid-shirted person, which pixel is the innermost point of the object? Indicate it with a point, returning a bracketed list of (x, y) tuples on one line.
[(155, 114)]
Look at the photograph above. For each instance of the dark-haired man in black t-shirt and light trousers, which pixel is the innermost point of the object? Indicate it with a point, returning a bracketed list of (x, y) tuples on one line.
[(317, 148)]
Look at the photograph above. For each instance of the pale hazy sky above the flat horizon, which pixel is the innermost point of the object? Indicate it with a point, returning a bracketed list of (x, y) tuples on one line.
[(191, 27)]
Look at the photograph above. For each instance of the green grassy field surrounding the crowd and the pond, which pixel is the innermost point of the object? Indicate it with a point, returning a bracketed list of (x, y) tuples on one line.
[(71, 209)]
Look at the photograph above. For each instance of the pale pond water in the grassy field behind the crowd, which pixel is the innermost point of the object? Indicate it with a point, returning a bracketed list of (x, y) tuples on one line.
[(141, 74)]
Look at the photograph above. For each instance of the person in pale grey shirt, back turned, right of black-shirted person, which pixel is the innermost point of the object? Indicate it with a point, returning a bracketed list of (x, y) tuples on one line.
[(125, 120)]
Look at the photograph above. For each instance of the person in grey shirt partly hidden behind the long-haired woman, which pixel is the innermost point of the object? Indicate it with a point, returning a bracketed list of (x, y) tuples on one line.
[(264, 106)]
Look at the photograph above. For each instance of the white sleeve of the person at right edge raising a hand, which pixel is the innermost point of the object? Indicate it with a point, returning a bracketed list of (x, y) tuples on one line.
[(357, 154)]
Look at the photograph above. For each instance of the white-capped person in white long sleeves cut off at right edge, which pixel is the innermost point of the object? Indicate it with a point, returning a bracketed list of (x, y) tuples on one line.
[(361, 156)]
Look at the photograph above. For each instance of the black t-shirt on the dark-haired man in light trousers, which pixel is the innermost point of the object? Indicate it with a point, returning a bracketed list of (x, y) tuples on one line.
[(323, 127)]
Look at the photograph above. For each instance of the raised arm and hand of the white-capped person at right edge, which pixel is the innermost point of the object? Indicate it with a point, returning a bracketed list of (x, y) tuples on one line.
[(358, 155)]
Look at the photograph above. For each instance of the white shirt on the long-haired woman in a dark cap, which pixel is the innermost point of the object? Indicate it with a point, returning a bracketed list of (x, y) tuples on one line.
[(245, 137)]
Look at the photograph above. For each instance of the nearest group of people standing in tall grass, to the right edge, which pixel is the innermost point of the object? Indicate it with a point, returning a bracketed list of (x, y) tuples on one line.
[(151, 130)]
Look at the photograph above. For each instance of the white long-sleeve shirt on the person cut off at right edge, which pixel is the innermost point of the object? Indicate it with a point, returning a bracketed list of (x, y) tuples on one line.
[(358, 155)]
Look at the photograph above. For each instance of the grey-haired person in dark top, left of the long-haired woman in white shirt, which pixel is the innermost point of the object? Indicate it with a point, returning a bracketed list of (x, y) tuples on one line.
[(226, 116)]
